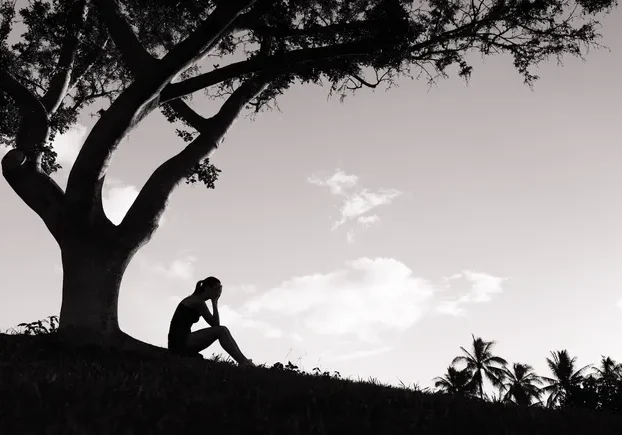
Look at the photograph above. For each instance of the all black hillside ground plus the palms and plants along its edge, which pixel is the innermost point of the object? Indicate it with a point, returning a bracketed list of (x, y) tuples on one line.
[(57, 388)]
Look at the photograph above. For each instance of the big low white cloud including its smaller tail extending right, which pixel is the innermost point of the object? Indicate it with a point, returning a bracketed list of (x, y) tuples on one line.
[(364, 299)]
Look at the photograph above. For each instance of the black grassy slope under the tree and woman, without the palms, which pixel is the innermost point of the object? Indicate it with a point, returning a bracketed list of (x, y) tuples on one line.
[(45, 388)]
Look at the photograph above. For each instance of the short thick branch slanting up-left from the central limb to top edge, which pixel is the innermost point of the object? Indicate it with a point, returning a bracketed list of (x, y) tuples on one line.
[(134, 54)]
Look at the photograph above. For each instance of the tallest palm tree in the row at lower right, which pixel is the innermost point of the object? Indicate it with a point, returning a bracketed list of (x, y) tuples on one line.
[(481, 364)]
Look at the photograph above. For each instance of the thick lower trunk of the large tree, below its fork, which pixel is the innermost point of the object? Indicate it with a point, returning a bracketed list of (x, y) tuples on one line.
[(94, 260)]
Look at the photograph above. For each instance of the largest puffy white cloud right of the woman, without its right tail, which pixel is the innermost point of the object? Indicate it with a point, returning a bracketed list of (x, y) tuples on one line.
[(363, 299)]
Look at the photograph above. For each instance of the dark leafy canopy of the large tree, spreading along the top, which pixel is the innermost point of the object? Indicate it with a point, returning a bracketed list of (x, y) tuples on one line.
[(82, 54)]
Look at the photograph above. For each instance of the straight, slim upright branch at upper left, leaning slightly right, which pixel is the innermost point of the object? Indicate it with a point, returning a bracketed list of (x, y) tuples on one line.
[(59, 84)]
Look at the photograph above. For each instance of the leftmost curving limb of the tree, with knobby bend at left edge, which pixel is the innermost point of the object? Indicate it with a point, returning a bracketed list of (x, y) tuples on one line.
[(21, 166)]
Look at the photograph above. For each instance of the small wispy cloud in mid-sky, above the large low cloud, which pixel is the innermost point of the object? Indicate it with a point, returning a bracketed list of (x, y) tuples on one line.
[(355, 201)]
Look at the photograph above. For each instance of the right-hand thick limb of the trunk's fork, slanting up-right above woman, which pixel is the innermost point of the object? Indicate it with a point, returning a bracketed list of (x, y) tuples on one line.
[(142, 218)]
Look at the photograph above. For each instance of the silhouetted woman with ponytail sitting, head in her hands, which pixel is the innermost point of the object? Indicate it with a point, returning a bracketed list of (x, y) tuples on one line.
[(182, 341)]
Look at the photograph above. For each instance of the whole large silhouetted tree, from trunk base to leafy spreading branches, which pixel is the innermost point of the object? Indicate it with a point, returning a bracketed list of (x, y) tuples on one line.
[(131, 57)]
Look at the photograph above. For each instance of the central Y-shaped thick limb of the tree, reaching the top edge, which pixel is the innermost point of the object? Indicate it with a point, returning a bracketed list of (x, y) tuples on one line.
[(140, 98)]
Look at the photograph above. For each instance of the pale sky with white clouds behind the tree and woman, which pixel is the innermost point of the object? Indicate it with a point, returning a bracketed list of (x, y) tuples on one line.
[(373, 237)]
